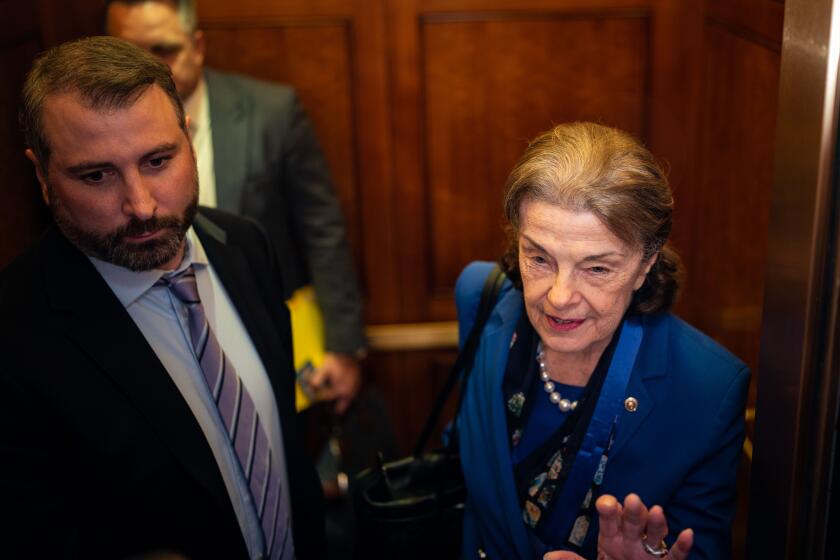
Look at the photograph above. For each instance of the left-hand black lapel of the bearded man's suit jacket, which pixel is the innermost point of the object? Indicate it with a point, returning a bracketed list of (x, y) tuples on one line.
[(90, 314)]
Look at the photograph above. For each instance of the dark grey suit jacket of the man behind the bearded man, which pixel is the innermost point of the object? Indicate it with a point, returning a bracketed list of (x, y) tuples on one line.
[(269, 166)]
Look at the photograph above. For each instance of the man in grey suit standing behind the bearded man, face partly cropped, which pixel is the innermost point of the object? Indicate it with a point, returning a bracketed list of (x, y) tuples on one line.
[(258, 156)]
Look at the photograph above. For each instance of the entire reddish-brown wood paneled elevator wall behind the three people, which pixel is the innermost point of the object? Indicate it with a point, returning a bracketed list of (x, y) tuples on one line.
[(423, 106)]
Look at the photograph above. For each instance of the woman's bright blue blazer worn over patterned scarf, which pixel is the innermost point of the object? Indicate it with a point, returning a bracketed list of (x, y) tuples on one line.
[(679, 449)]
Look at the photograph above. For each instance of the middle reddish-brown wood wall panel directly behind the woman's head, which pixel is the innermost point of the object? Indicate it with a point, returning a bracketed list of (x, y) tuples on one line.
[(473, 82)]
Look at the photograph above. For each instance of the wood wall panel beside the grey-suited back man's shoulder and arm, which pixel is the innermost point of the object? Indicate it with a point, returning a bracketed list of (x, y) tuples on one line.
[(335, 55)]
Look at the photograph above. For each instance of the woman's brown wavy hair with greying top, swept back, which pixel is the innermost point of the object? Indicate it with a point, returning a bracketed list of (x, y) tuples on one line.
[(584, 166)]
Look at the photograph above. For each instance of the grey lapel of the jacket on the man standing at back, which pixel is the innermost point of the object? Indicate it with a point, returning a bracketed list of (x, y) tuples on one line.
[(230, 118)]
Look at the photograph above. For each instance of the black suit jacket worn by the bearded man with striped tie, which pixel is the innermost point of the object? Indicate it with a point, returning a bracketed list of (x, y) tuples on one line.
[(100, 456)]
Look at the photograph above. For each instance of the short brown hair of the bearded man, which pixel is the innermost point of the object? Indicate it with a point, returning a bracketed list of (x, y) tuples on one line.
[(105, 72)]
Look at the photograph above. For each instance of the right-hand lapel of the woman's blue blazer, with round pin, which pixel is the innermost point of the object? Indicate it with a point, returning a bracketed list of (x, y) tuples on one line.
[(649, 371)]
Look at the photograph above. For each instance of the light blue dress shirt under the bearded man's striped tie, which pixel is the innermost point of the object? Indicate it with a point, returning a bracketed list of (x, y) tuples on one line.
[(163, 320)]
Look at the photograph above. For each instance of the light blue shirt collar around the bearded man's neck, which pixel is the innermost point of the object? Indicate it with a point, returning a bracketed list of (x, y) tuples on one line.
[(129, 285)]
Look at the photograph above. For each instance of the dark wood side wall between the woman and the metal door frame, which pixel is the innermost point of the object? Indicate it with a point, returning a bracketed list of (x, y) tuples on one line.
[(722, 216)]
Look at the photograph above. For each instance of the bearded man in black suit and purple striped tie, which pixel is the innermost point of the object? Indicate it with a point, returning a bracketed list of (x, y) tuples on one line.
[(146, 380)]
